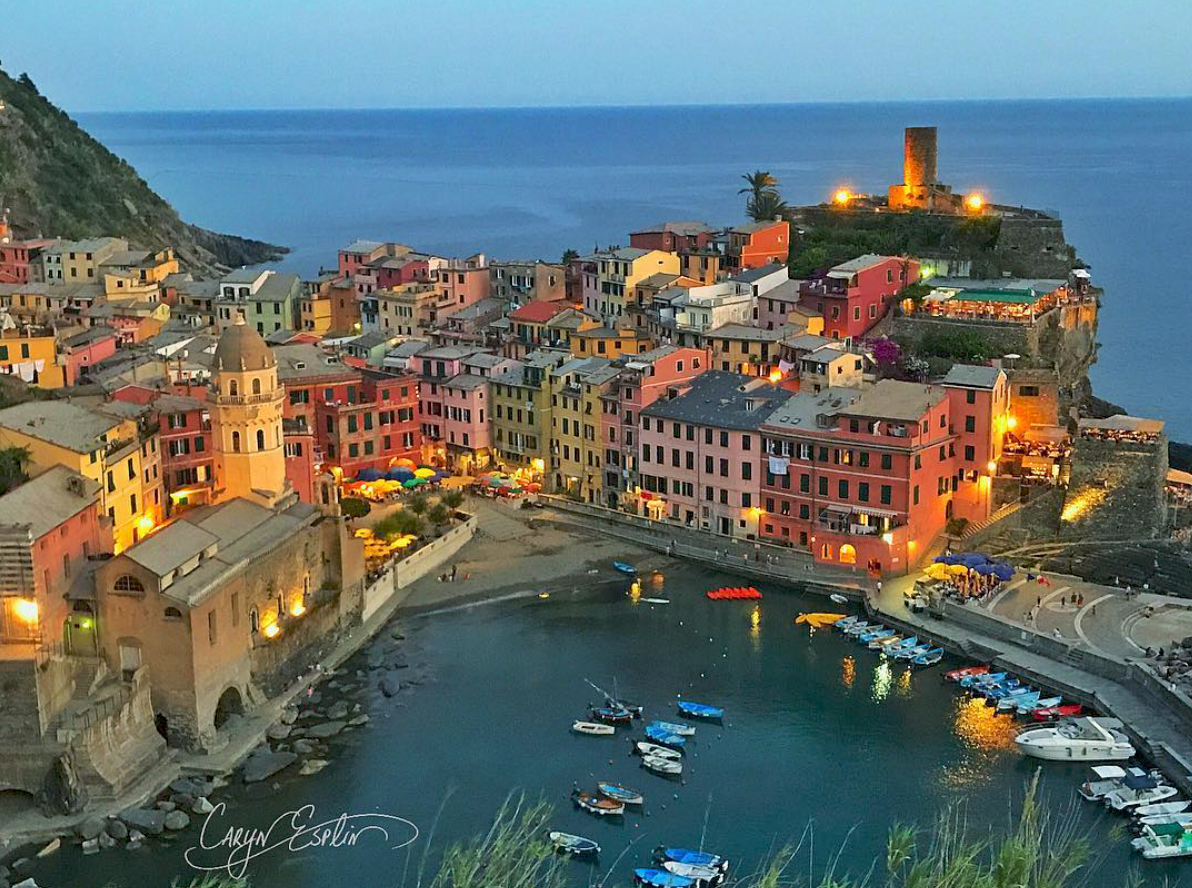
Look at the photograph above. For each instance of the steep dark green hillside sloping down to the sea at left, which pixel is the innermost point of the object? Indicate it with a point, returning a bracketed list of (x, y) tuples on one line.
[(60, 182)]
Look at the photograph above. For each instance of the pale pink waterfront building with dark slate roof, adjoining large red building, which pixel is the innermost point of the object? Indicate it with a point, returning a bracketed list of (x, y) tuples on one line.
[(700, 454)]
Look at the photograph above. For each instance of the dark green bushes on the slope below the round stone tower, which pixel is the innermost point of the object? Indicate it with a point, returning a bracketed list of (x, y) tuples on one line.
[(829, 238)]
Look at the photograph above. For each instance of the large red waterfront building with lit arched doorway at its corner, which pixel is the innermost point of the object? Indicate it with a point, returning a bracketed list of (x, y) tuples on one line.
[(872, 477)]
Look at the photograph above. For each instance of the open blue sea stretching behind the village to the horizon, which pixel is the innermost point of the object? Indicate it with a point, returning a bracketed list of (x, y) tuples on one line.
[(535, 183)]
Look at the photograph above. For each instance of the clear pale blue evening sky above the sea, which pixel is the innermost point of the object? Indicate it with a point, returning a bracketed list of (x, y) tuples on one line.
[(154, 55)]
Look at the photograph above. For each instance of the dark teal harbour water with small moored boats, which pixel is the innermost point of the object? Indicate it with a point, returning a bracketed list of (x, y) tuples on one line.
[(824, 746)]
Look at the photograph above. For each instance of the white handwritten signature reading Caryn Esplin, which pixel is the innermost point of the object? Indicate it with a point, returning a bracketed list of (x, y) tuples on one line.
[(234, 848)]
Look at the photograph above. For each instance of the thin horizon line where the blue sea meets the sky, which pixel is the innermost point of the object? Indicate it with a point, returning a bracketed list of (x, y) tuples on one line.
[(620, 107)]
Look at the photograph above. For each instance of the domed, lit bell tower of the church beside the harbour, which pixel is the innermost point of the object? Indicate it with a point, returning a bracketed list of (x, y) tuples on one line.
[(246, 419)]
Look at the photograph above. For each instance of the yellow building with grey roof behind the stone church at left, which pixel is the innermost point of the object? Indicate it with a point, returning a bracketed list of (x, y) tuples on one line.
[(114, 451)]
